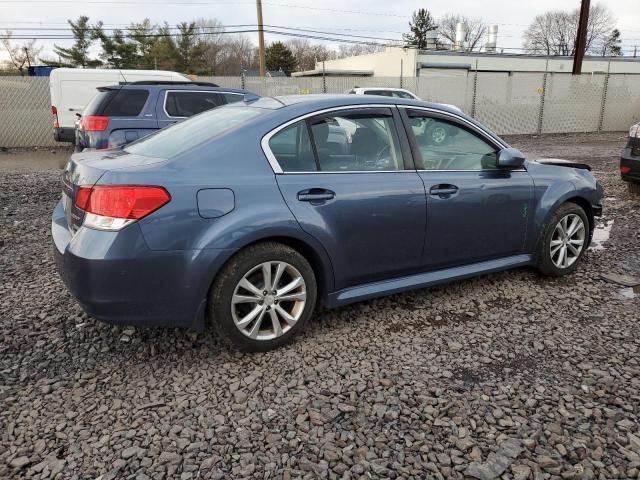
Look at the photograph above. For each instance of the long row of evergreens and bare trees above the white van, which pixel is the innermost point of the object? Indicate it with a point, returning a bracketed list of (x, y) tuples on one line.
[(201, 47)]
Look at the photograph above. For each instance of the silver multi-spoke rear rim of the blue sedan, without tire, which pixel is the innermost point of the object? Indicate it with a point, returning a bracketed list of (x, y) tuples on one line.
[(268, 300)]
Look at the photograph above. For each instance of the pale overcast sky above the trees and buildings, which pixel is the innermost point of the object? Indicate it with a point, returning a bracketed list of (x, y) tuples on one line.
[(377, 18)]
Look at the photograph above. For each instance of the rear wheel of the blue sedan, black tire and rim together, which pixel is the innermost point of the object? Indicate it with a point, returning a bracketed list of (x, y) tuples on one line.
[(239, 307)]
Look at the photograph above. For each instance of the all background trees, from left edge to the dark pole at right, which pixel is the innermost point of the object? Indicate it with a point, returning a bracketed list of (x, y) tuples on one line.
[(205, 47)]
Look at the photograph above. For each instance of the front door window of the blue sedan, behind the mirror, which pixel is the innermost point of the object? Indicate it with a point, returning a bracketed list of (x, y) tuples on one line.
[(447, 146)]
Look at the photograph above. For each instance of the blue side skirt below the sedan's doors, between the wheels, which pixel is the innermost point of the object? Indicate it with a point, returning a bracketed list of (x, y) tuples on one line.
[(421, 280)]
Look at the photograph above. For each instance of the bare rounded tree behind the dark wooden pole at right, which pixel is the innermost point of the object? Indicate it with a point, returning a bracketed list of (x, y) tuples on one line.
[(554, 32)]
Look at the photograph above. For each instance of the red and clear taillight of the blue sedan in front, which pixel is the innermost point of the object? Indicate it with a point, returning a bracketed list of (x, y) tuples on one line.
[(112, 207)]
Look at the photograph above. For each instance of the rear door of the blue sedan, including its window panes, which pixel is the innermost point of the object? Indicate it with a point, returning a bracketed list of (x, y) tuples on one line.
[(347, 179)]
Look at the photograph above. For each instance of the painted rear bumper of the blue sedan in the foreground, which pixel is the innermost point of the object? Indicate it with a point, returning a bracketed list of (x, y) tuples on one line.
[(117, 279)]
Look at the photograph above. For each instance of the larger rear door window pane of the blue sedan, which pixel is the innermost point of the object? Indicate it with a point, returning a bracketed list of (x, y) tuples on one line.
[(356, 142)]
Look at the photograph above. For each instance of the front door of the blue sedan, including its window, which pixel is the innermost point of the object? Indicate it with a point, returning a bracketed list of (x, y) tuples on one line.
[(475, 211)]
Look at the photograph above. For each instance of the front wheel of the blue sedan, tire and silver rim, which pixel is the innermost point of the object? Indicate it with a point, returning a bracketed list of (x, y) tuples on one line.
[(550, 261)]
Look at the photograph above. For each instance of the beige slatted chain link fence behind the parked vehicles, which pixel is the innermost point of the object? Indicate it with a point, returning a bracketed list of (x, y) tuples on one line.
[(506, 102)]
